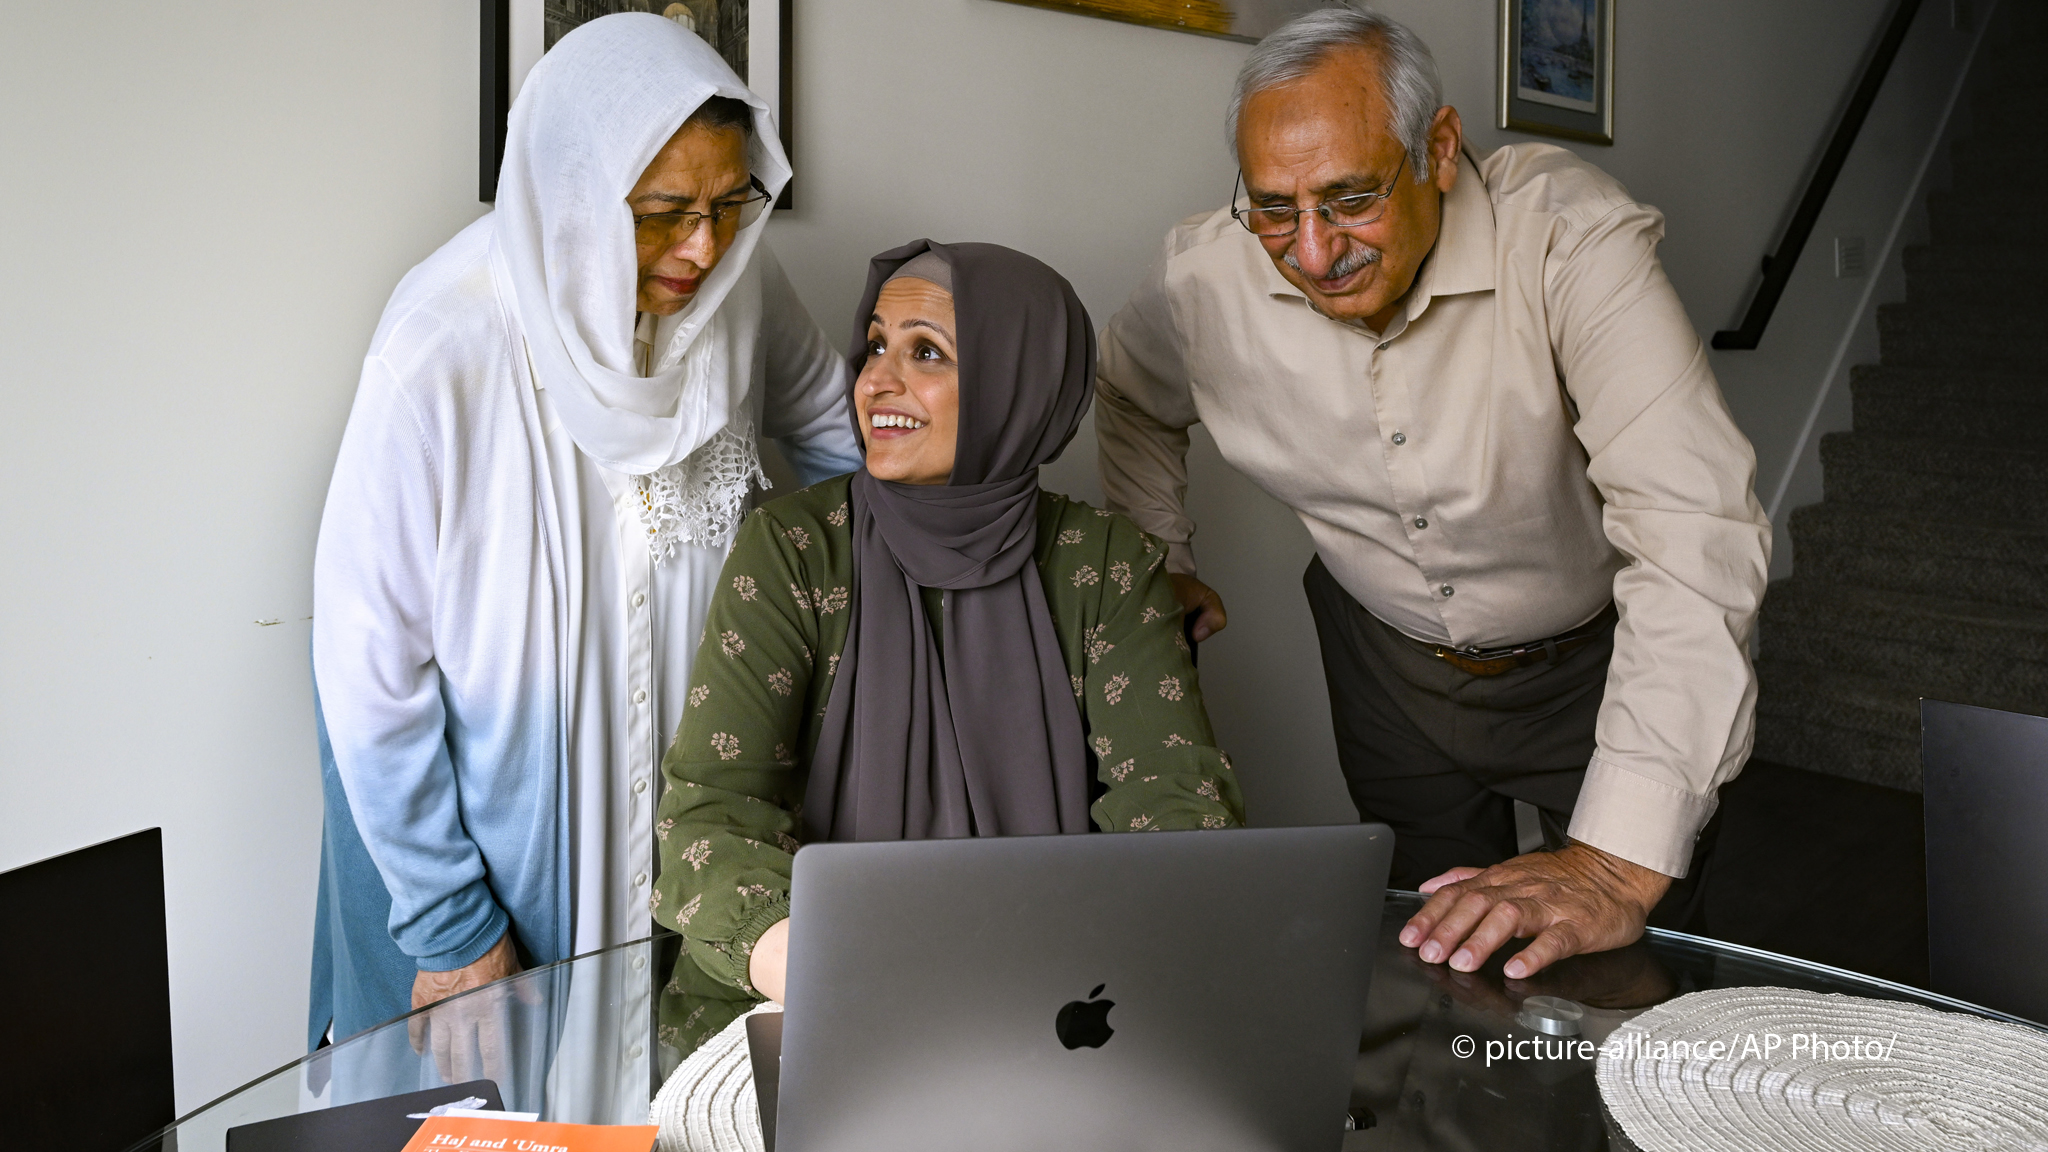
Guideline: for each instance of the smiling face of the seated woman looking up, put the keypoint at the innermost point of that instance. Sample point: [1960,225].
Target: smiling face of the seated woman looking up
[908,395]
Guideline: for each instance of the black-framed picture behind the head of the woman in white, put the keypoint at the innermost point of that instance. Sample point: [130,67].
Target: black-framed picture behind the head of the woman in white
[753,36]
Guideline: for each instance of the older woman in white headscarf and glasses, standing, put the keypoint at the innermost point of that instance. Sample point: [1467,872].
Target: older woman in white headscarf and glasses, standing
[550,450]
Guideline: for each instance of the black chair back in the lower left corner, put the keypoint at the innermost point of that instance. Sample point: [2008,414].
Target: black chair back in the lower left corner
[85,999]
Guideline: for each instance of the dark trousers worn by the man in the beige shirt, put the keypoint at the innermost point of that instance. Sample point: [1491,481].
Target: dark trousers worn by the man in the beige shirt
[1441,755]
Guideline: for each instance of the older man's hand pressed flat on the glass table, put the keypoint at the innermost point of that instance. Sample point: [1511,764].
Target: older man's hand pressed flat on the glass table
[1578,899]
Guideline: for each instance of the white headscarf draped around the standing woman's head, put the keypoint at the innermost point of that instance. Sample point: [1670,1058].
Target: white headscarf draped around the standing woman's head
[587,124]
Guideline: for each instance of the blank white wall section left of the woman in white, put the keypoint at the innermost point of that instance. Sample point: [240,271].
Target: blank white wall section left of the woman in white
[202,212]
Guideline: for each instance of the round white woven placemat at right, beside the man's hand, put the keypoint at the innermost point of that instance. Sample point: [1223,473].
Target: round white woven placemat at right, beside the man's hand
[1773,1071]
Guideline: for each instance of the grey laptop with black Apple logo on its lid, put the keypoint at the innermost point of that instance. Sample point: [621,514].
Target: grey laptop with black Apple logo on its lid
[1191,991]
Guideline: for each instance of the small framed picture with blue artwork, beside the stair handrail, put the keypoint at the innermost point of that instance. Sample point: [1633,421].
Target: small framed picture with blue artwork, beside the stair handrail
[1558,69]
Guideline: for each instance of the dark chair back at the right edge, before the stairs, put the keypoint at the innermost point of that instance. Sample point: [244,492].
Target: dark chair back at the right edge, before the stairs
[1988,856]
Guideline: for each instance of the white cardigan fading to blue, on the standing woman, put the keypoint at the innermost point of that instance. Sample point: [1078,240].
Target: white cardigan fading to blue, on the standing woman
[497,659]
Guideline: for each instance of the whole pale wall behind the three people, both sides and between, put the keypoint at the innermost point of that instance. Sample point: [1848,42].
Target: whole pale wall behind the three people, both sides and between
[204,208]
